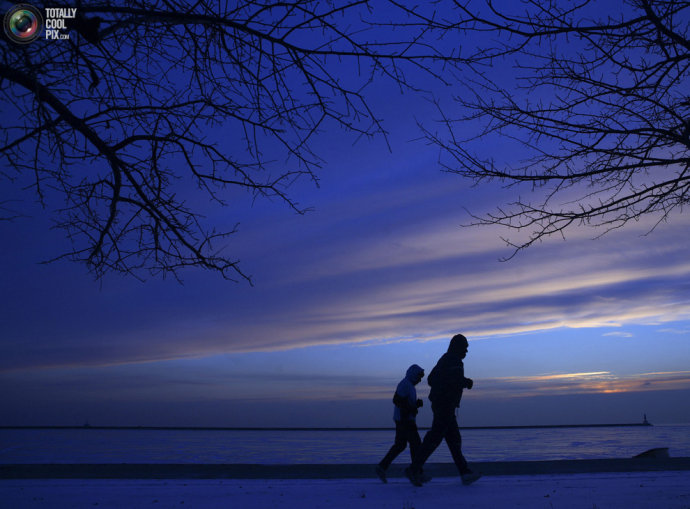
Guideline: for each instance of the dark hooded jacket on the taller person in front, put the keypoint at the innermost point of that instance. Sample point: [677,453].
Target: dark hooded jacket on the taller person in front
[447,379]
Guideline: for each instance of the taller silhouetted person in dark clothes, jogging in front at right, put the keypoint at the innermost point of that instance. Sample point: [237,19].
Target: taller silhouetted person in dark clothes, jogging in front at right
[447,381]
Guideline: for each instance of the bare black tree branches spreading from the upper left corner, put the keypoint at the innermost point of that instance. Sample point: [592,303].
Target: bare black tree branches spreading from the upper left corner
[150,101]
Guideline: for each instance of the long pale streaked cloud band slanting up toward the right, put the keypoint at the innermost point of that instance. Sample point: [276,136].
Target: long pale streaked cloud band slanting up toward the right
[594,286]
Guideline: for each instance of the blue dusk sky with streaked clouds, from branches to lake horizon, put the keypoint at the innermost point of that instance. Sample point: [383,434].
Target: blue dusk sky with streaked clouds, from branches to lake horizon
[378,276]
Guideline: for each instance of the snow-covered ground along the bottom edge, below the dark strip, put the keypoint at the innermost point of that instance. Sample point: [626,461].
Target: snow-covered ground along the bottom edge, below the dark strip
[668,490]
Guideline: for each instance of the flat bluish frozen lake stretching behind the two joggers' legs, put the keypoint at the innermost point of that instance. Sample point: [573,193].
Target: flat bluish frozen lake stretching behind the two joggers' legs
[89,445]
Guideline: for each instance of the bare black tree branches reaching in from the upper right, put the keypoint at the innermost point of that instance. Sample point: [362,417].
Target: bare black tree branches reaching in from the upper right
[600,106]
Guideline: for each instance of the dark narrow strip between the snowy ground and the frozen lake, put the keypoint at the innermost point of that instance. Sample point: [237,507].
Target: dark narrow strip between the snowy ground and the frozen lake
[345,471]
